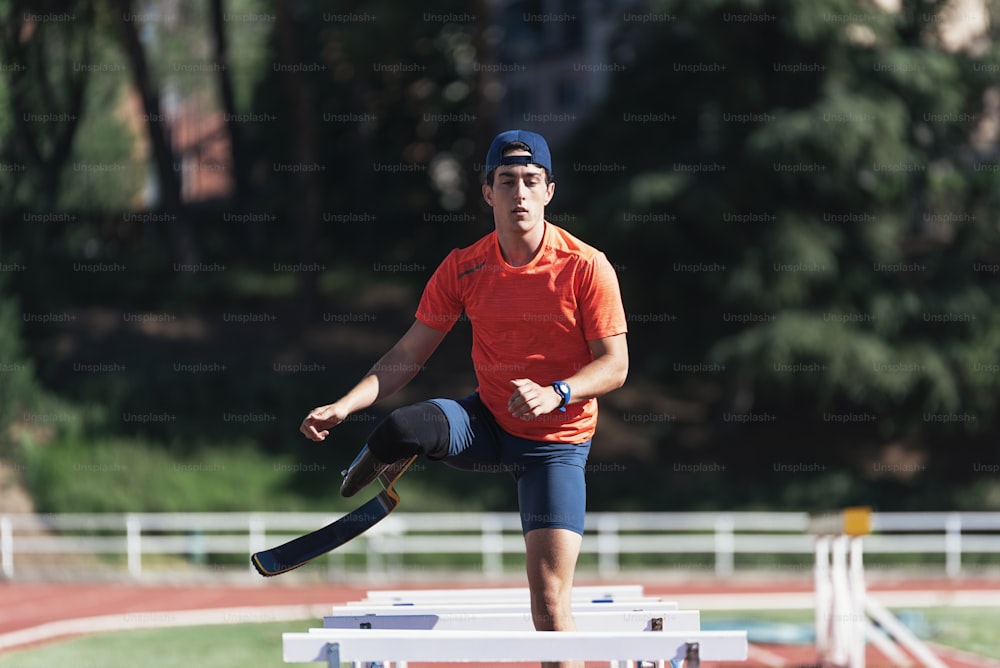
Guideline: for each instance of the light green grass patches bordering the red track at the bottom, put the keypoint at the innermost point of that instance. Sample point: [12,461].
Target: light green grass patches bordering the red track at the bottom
[259,645]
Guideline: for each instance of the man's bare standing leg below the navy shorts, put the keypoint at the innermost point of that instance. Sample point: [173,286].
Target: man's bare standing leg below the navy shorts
[551,561]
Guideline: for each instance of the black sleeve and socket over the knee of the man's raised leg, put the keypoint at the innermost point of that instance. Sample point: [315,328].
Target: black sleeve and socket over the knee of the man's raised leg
[418,429]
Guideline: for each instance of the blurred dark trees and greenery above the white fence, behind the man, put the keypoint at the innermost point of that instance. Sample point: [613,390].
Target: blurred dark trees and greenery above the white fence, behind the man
[215,216]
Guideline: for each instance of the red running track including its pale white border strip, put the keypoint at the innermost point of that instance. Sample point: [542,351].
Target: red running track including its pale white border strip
[34,613]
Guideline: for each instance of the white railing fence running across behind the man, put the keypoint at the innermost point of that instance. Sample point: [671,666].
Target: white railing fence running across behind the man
[613,542]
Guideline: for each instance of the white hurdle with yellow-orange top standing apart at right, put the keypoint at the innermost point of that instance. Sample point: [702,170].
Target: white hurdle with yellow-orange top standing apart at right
[846,616]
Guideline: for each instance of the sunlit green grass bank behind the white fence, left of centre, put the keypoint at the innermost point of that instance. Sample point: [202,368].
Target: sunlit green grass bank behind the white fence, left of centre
[81,473]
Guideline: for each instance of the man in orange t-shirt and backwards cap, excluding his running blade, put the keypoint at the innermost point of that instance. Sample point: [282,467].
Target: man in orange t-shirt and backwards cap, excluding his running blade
[548,338]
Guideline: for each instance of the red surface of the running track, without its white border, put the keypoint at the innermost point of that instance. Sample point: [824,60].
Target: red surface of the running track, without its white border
[25,606]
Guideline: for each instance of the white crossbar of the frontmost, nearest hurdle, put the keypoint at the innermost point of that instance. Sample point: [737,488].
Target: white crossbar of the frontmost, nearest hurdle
[334,646]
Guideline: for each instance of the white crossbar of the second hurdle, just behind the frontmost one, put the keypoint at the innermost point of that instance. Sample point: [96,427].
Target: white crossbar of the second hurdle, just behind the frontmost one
[647,619]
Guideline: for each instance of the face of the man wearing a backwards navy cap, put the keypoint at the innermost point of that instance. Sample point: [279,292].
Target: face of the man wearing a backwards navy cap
[518,195]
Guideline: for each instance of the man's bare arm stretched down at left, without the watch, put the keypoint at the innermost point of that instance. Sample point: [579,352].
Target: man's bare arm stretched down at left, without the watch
[390,374]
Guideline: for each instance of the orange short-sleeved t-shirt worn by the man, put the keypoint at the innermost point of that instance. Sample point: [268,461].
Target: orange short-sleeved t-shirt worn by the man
[532,321]
